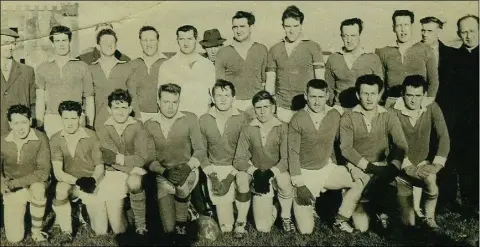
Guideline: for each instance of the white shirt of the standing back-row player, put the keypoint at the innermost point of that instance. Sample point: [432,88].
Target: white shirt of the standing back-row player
[195,75]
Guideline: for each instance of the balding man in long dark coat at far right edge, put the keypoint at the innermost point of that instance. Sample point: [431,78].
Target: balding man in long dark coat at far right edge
[465,97]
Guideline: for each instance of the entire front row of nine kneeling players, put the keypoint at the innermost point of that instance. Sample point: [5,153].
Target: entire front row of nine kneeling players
[240,157]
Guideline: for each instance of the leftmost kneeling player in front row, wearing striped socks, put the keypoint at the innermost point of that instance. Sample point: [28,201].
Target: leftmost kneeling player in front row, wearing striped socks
[25,167]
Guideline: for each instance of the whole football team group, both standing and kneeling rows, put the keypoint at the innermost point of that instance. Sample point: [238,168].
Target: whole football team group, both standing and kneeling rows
[262,129]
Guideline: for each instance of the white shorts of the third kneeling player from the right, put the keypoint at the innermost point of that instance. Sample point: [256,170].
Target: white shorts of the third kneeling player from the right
[315,179]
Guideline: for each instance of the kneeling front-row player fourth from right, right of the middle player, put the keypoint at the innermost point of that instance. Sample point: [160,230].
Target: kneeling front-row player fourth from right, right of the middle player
[263,143]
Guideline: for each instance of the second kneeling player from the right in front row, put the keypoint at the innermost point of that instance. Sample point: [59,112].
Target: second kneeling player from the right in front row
[372,140]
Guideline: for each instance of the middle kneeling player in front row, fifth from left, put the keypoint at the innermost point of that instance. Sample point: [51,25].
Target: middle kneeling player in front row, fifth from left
[220,128]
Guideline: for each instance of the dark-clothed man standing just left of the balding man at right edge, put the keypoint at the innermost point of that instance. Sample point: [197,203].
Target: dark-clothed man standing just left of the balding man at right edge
[447,180]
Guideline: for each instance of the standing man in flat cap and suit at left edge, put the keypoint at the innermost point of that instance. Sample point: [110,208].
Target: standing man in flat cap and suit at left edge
[18,80]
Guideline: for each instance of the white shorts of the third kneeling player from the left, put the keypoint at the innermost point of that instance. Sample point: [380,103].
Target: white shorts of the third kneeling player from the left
[113,186]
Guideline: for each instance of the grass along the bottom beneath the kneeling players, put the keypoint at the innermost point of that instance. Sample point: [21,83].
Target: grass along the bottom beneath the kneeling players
[456,231]
